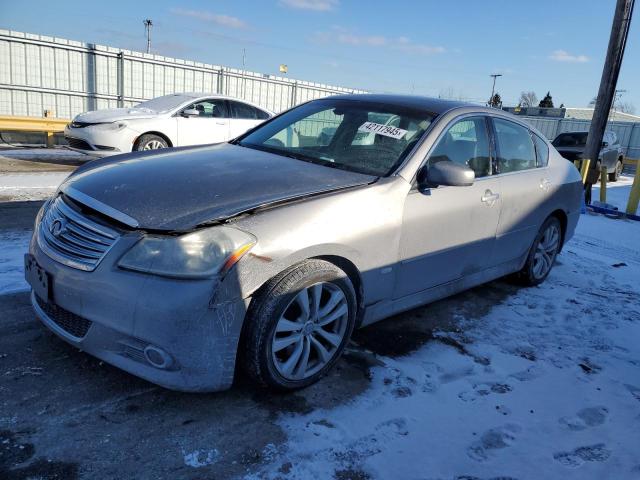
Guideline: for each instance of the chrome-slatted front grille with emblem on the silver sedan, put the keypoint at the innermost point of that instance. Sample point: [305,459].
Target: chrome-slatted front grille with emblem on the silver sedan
[71,238]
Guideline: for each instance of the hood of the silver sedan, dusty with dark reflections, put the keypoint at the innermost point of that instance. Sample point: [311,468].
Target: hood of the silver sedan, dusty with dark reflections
[179,189]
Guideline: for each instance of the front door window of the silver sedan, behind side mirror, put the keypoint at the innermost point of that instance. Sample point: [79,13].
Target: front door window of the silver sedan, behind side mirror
[467,143]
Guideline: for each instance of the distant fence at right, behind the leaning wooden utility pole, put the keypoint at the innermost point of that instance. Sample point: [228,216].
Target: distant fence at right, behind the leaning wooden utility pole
[628,132]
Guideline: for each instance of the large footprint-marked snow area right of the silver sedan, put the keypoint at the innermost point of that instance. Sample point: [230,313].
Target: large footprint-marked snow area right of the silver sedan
[545,385]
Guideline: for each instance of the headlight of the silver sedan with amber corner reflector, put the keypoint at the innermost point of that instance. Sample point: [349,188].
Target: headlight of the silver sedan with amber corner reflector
[196,255]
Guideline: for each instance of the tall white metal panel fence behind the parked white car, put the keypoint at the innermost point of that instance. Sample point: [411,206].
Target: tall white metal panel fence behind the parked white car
[66,77]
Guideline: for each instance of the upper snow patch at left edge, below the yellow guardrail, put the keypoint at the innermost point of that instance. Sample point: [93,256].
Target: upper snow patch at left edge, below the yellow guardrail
[30,186]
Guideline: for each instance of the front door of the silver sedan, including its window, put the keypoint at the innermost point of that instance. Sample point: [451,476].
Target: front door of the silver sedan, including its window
[449,232]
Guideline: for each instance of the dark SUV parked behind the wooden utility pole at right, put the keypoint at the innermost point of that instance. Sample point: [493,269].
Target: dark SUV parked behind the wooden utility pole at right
[571,146]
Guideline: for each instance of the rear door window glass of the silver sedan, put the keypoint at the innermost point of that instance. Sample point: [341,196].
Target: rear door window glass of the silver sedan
[515,147]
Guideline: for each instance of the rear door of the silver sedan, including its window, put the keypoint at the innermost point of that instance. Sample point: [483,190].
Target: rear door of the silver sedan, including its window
[526,188]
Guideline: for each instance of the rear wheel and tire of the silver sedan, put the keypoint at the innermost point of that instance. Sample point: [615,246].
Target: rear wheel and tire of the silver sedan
[532,274]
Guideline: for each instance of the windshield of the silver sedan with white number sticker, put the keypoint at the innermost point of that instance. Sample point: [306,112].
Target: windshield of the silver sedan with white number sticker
[363,137]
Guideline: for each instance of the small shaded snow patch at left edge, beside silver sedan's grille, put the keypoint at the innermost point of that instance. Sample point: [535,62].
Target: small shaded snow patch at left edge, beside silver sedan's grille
[13,246]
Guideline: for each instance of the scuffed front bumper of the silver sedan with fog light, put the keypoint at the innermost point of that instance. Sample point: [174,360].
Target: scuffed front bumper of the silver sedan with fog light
[180,334]
